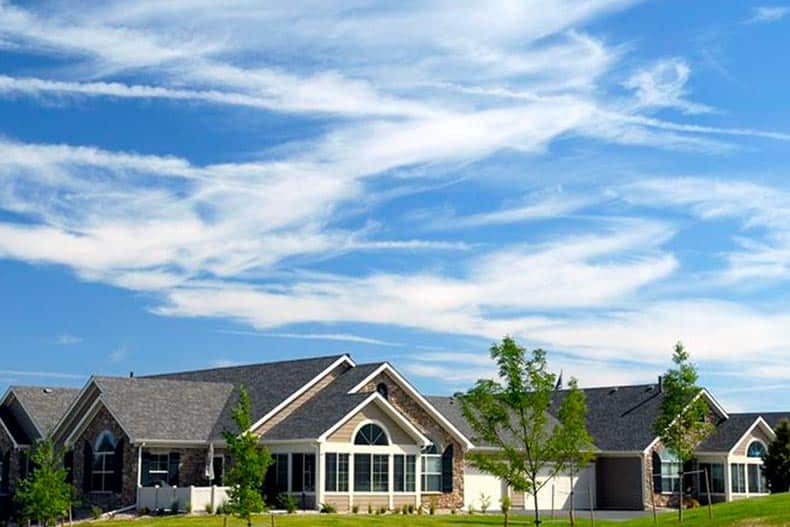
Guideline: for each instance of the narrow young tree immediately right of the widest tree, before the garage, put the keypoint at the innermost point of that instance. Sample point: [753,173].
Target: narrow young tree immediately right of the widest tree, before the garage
[574,443]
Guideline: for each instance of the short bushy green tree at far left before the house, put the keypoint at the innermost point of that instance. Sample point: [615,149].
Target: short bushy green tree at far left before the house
[44,495]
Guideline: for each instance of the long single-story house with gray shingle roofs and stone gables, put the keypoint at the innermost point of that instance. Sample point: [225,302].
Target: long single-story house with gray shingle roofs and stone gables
[349,435]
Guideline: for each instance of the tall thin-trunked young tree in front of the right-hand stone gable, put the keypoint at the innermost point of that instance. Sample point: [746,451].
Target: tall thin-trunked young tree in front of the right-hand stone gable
[682,421]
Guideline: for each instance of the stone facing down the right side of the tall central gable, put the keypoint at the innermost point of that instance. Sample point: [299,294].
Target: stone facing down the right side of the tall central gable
[406,404]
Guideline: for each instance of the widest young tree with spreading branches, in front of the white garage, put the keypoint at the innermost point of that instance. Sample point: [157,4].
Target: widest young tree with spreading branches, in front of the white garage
[512,415]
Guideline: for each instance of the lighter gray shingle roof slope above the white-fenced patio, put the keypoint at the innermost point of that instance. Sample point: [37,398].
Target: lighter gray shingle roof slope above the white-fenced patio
[164,409]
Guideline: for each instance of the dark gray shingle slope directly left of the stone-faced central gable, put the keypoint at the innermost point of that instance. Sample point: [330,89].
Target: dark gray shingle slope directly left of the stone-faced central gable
[320,413]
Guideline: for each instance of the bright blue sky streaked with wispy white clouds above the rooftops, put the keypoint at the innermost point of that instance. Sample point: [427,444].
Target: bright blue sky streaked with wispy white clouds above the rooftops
[185,185]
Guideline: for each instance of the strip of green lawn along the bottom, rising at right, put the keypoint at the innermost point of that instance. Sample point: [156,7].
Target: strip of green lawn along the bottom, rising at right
[771,511]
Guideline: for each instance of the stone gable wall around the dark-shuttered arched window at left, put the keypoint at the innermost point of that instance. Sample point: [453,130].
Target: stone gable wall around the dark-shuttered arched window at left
[103,420]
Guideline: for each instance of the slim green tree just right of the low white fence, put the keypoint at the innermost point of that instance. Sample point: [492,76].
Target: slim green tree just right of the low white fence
[249,464]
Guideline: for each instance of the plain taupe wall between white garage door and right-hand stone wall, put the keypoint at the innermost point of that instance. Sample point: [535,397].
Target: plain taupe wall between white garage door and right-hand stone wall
[619,483]
